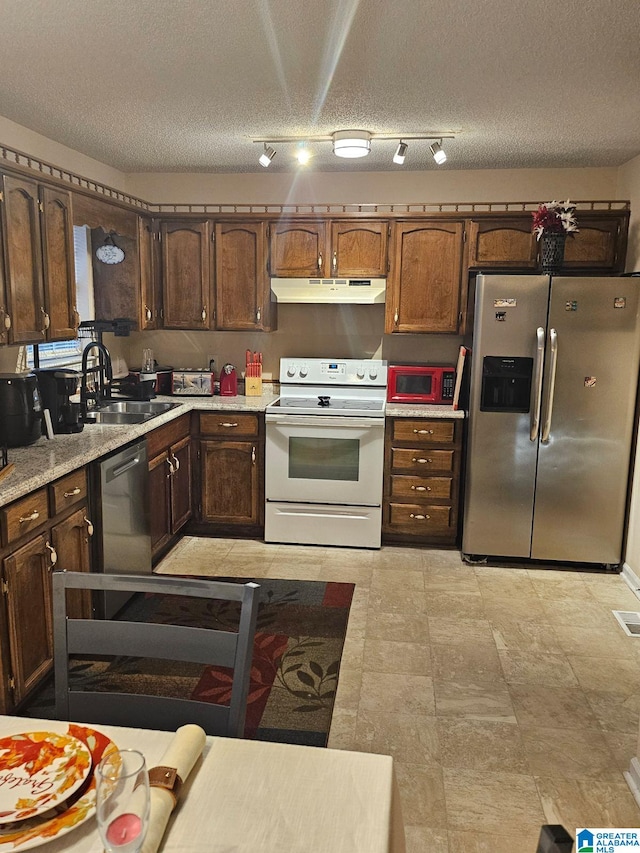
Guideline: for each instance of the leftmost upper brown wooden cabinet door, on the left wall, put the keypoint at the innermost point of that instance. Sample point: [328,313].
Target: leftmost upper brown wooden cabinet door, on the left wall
[23,257]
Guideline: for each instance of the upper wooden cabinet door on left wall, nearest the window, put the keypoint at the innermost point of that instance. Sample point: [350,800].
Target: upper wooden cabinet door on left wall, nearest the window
[58,264]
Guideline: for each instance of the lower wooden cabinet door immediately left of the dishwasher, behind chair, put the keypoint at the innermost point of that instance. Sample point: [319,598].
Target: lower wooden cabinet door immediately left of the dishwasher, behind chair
[70,538]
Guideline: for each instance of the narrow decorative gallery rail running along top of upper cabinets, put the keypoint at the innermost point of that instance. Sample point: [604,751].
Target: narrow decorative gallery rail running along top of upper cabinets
[18,159]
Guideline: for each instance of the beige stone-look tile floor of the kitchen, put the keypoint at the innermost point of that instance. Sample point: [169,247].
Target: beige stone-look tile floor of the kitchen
[509,697]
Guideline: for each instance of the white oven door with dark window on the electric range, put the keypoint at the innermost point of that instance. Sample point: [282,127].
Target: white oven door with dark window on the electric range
[318,459]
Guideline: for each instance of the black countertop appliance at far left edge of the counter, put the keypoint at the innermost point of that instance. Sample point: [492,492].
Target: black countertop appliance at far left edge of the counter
[20,409]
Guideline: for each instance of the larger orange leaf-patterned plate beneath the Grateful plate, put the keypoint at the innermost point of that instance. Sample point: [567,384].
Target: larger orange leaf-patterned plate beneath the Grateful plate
[70,813]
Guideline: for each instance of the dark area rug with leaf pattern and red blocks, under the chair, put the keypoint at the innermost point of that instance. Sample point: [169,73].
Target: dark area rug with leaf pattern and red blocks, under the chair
[300,634]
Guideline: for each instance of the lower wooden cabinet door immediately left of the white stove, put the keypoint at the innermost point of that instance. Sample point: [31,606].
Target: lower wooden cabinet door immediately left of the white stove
[229,477]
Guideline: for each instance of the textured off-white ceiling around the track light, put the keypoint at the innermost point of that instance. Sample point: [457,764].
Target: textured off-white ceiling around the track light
[185,85]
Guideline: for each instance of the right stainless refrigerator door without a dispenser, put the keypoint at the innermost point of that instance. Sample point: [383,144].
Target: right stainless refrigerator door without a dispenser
[587,428]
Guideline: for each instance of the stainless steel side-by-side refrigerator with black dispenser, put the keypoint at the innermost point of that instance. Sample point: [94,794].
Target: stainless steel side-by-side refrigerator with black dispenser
[551,417]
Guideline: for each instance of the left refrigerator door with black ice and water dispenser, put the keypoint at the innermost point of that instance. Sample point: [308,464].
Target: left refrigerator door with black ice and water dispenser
[501,453]
